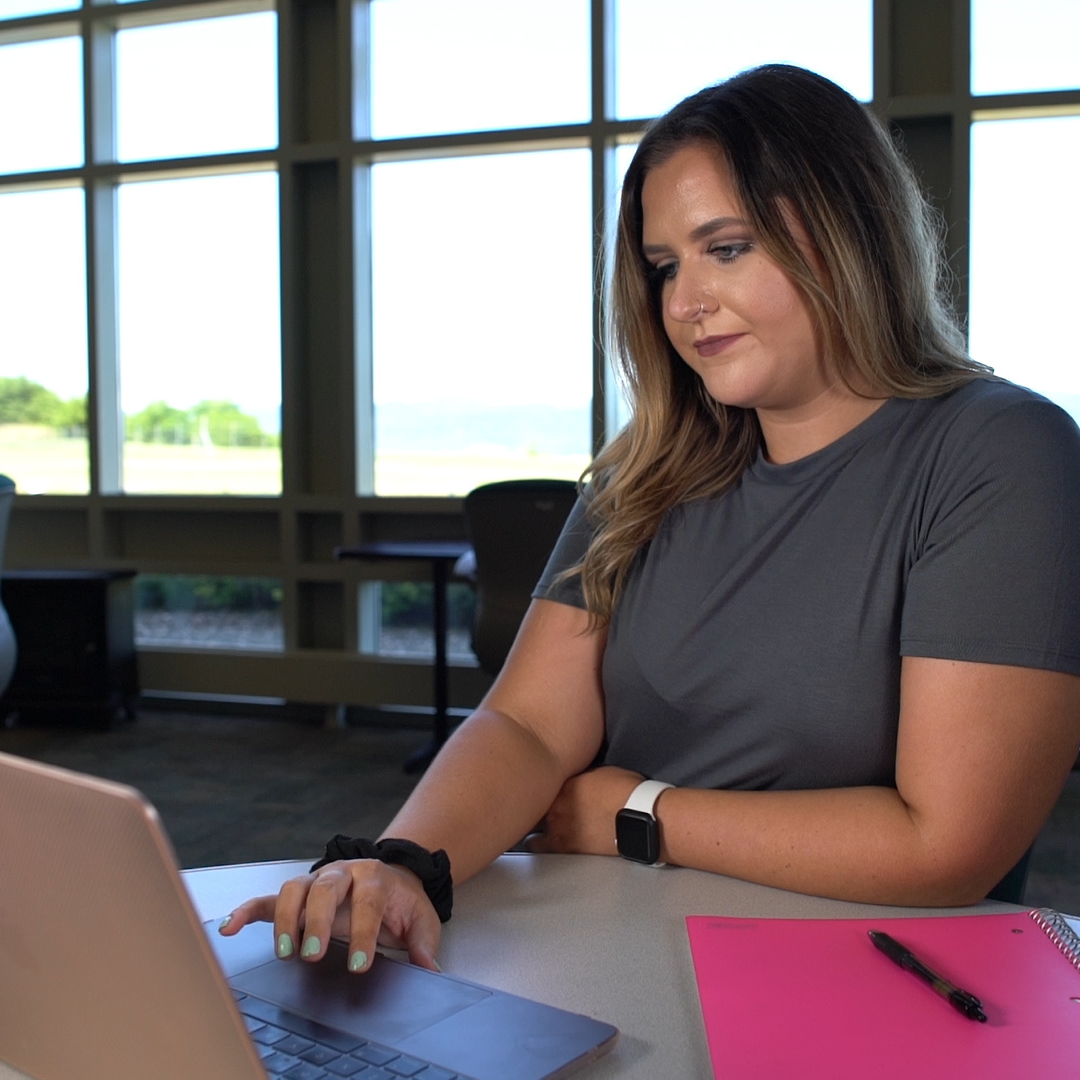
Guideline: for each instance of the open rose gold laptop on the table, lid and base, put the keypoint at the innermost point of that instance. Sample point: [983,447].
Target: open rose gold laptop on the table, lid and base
[106,973]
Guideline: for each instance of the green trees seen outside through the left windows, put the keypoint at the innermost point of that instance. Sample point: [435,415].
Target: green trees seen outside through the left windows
[215,423]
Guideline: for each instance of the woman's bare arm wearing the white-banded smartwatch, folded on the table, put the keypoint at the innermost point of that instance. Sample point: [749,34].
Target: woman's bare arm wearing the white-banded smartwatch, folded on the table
[983,753]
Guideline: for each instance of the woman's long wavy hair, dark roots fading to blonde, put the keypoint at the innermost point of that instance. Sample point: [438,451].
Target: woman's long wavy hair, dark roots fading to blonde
[798,142]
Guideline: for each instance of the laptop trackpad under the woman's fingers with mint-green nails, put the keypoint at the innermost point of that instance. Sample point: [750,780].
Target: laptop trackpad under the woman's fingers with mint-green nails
[387,1004]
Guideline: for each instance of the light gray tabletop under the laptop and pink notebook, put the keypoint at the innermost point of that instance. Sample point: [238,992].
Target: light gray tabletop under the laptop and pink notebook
[592,935]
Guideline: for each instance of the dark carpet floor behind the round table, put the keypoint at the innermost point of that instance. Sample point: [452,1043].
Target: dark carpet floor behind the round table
[235,790]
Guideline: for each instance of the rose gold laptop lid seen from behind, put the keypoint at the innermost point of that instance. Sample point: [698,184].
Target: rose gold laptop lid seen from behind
[105,970]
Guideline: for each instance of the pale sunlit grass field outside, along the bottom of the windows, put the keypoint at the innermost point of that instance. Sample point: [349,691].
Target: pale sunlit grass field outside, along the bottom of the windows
[44,463]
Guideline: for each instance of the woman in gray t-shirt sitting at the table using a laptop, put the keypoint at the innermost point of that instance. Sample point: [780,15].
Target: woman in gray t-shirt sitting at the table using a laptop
[826,583]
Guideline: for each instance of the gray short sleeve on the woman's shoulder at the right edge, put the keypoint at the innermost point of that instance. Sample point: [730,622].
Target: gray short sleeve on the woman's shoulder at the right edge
[995,556]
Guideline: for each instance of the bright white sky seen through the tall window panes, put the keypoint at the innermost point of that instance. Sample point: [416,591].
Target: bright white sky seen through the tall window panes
[481,265]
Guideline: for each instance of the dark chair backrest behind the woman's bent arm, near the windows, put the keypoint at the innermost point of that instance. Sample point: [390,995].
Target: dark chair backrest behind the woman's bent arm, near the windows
[514,526]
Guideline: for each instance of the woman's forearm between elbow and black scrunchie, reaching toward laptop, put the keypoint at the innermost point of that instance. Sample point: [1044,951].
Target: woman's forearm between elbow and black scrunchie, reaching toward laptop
[487,789]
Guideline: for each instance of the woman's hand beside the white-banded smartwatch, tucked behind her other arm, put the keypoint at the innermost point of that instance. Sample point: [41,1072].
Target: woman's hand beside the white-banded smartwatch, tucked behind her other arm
[582,820]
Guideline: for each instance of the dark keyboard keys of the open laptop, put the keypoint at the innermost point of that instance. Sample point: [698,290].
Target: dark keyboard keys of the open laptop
[296,1048]
